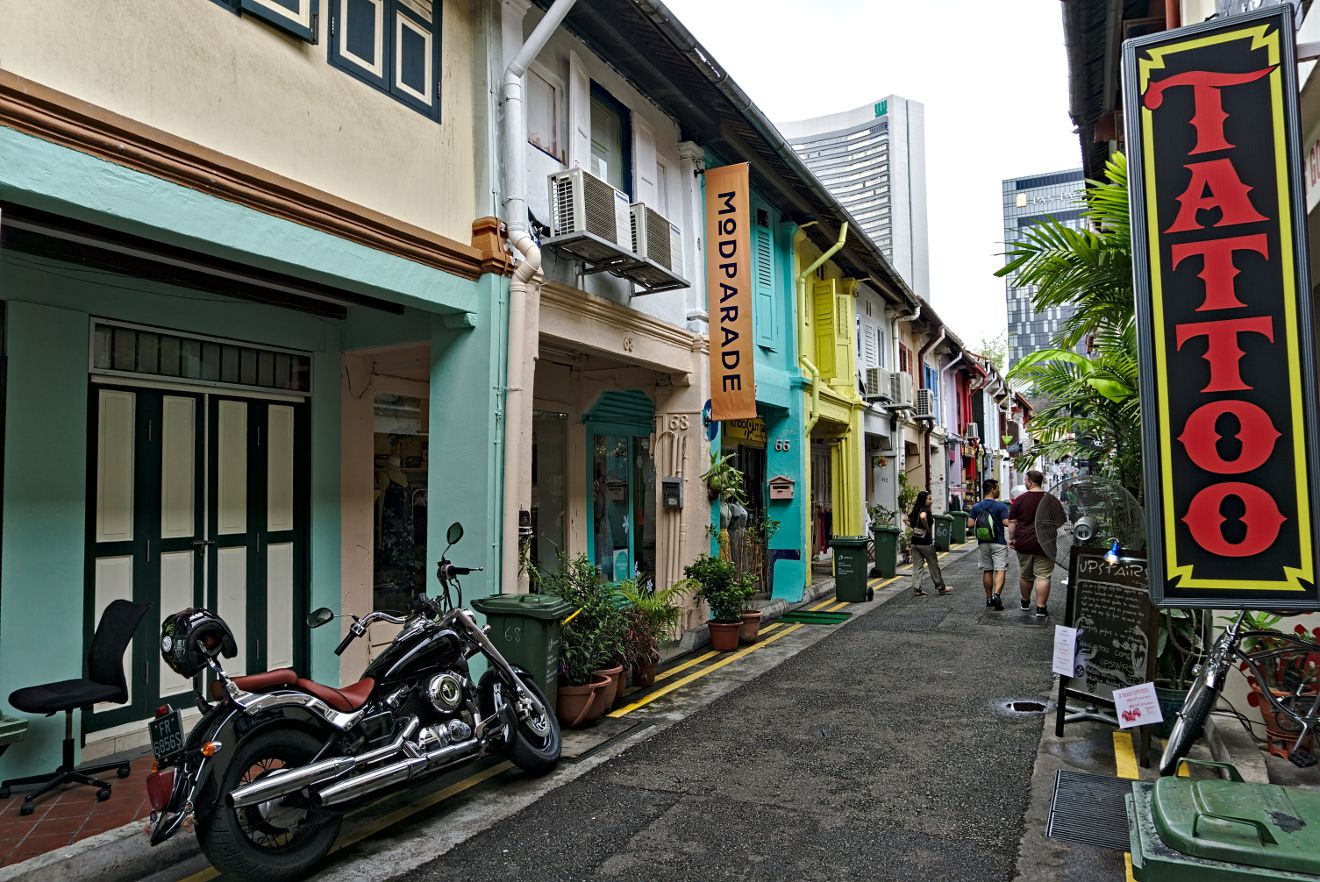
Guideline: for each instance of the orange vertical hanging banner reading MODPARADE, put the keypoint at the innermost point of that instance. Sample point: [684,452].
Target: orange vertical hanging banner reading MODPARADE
[733,388]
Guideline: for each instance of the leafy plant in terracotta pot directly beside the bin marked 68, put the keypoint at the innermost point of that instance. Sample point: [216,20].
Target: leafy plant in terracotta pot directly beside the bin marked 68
[589,641]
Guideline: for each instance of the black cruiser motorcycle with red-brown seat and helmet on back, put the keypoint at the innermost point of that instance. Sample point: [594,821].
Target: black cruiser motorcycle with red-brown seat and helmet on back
[277,761]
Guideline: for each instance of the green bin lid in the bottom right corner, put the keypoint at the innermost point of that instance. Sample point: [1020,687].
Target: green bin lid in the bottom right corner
[1263,826]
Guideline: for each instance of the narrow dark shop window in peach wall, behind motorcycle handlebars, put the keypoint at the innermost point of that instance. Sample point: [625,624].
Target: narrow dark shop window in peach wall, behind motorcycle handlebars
[401,468]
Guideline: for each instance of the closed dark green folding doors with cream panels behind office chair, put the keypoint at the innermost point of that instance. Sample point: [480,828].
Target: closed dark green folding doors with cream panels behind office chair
[197,500]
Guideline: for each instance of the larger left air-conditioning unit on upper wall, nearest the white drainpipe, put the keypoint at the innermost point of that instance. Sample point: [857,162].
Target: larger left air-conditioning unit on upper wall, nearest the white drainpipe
[591,221]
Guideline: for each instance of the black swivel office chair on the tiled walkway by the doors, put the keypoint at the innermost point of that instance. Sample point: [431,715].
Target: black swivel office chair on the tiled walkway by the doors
[105,683]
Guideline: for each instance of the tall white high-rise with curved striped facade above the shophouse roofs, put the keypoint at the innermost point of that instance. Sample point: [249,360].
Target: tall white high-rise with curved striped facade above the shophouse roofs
[873,160]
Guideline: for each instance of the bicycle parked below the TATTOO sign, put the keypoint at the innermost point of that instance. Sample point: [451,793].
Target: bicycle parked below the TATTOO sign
[1297,704]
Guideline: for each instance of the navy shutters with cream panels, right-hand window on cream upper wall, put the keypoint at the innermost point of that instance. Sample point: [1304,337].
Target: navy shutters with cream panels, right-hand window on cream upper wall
[393,46]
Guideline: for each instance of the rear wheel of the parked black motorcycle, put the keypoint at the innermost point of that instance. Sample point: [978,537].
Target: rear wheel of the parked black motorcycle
[278,840]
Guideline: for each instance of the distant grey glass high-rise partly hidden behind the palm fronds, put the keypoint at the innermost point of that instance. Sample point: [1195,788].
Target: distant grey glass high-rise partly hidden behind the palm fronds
[1026,201]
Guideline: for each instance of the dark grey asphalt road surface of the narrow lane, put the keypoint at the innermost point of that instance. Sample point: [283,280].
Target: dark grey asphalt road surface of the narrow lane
[880,753]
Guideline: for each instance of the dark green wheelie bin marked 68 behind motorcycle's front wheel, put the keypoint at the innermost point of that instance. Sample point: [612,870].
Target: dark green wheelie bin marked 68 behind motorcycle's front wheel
[526,629]
